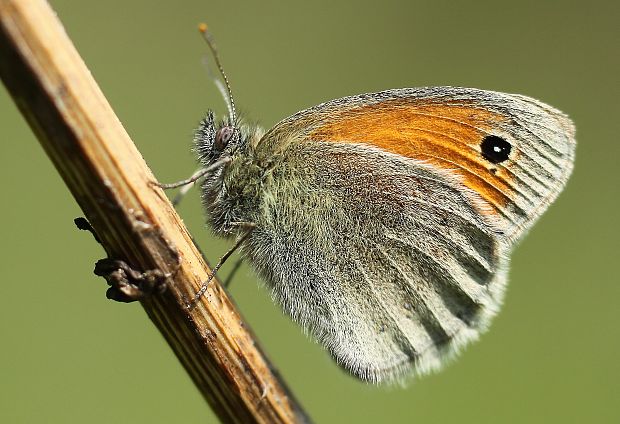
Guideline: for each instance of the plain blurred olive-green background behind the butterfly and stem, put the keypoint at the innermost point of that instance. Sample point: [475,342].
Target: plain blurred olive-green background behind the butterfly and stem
[69,355]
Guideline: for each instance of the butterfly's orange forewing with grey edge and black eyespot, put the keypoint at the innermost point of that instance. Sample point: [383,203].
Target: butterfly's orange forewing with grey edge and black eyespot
[447,127]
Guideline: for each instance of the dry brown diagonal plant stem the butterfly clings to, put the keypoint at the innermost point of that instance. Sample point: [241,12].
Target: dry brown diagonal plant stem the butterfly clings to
[111,182]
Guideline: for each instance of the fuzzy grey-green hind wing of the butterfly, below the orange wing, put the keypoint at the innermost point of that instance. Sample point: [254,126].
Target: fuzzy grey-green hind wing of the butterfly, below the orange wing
[385,261]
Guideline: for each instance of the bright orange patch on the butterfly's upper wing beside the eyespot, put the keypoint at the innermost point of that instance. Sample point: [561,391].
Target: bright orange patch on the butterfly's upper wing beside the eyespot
[445,135]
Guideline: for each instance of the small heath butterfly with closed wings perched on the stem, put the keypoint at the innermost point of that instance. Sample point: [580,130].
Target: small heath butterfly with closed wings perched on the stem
[383,223]
